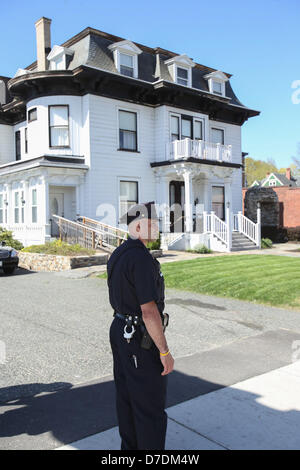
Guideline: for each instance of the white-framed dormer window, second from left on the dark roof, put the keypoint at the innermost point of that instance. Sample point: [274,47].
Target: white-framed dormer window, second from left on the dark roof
[126,57]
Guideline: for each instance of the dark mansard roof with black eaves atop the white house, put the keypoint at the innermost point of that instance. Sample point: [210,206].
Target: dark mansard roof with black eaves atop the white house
[92,69]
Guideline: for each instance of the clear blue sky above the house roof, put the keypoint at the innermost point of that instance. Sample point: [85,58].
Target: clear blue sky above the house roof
[254,41]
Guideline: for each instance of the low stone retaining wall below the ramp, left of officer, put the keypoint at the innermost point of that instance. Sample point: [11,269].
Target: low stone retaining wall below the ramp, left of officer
[44,262]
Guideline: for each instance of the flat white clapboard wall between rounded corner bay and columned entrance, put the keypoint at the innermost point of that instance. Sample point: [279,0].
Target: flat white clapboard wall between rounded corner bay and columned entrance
[108,164]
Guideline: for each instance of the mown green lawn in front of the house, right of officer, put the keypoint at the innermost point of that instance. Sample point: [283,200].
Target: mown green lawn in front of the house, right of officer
[267,279]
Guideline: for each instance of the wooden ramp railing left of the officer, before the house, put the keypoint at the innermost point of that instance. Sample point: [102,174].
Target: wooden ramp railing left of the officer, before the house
[89,233]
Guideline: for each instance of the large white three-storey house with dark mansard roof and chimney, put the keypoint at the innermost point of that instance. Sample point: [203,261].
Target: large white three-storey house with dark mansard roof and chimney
[102,120]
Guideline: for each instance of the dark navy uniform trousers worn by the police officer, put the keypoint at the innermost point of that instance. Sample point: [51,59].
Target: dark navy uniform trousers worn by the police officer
[140,391]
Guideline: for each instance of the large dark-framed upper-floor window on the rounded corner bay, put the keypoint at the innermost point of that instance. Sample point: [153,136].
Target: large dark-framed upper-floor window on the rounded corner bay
[59,126]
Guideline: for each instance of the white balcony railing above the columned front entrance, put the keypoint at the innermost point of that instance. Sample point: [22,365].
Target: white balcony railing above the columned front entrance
[198,149]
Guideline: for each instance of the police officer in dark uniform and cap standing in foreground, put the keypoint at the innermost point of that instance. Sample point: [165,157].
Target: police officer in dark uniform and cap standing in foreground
[141,356]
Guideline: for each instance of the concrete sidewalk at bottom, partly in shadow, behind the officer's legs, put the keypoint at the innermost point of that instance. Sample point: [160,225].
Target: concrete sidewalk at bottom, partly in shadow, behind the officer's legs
[262,412]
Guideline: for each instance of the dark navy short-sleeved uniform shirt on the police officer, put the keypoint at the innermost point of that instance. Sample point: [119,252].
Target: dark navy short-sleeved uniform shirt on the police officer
[134,278]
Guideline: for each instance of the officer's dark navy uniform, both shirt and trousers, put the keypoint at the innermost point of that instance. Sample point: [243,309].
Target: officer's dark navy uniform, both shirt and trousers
[134,278]
